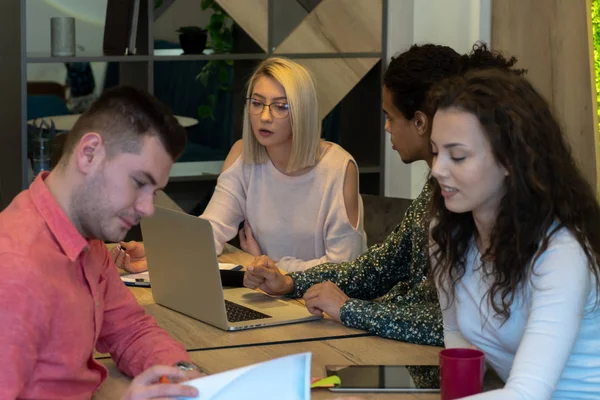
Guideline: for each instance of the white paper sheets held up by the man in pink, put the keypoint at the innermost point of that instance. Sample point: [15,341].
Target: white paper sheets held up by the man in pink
[282,378]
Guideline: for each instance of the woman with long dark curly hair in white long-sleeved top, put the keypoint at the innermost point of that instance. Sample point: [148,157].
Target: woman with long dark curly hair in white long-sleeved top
[515,238]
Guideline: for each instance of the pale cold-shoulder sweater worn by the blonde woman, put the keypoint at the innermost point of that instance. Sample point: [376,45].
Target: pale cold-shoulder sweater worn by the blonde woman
[298,221]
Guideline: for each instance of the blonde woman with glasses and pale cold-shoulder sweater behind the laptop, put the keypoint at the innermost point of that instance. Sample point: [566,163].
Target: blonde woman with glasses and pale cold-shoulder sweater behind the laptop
[296,194]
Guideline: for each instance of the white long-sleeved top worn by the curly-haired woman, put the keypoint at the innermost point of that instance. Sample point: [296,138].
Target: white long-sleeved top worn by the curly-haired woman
[549,348]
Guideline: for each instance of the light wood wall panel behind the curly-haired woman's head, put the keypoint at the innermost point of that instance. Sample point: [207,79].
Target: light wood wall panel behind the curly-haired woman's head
[551,39]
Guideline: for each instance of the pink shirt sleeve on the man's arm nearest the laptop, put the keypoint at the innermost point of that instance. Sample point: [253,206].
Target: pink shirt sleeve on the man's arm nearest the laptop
[132,337]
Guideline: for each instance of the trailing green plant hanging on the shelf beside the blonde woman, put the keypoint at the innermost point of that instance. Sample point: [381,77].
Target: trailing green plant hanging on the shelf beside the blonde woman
[221,41]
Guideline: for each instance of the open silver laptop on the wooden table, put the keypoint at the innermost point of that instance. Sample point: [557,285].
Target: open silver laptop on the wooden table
[184,271]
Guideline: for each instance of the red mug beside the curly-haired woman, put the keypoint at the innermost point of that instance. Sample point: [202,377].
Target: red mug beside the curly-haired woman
[461,372]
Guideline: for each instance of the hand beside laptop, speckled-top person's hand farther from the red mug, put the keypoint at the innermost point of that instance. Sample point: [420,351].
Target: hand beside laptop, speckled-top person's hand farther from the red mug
[263,274]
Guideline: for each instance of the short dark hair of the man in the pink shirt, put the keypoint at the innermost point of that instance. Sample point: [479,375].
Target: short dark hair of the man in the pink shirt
[122,116]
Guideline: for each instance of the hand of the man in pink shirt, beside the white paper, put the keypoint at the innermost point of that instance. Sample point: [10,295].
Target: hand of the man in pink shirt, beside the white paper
[147,385]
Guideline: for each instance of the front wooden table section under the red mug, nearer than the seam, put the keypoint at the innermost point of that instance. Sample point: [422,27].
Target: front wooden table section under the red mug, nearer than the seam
[366,350]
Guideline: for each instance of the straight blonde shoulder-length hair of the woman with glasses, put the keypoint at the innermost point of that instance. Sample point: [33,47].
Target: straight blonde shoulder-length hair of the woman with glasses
[301,94]
